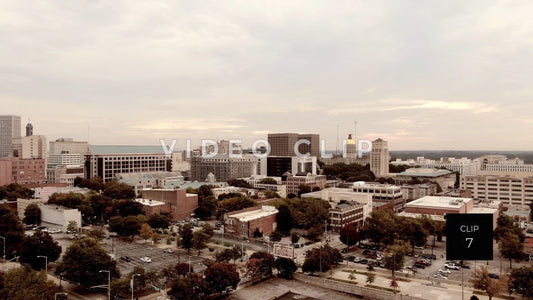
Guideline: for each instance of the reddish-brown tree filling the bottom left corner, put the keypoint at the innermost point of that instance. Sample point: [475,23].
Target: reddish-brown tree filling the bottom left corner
[25,283]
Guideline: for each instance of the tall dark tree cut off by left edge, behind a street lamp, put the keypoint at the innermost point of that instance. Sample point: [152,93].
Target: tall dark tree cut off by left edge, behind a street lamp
[11,229]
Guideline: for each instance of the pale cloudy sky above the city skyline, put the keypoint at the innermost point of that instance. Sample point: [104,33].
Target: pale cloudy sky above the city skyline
[423,75]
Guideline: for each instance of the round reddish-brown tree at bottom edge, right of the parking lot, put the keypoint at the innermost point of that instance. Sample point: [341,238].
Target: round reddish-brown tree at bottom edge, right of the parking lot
[220,277]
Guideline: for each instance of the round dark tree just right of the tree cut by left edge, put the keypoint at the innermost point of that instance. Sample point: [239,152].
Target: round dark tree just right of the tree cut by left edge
[39,244]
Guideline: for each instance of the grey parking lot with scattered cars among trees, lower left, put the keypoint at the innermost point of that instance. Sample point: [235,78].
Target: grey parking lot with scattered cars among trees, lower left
[159,258]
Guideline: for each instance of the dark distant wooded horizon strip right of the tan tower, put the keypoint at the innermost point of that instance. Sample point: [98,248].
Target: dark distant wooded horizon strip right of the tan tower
[527,156]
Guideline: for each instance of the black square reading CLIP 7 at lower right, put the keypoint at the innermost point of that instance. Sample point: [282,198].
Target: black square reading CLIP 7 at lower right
[469,236]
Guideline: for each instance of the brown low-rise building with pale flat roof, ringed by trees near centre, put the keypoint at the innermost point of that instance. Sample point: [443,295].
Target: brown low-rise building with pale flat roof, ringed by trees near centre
[246,221]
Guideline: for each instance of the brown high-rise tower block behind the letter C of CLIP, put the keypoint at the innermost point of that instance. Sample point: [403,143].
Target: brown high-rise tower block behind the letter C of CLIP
[282,144]
